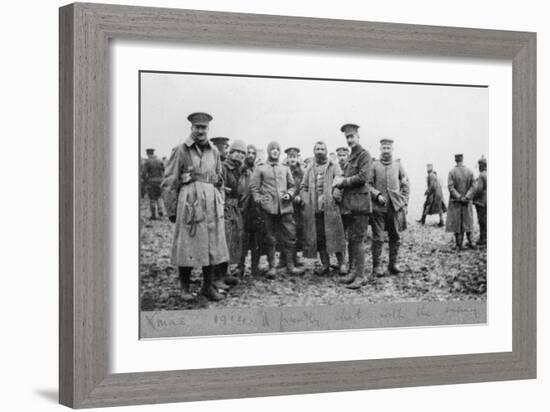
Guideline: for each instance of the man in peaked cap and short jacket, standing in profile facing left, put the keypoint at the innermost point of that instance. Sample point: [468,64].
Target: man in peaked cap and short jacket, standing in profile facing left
[356,204]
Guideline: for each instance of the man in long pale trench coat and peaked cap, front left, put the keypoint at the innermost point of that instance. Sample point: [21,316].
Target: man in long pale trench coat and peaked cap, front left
[195,172]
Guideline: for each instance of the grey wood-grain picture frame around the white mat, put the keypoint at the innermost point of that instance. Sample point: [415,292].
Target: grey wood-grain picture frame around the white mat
[85,31]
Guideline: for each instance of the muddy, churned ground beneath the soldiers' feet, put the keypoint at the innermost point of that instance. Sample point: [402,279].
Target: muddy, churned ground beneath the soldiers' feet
[434,271]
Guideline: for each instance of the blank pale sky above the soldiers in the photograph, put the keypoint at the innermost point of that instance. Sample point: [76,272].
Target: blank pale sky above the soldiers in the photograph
[428,123]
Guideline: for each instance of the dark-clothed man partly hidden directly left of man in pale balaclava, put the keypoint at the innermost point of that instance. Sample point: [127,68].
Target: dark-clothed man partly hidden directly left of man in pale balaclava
[252,216]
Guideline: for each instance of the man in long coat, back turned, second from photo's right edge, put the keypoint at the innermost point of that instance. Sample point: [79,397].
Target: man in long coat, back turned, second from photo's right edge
[460,213]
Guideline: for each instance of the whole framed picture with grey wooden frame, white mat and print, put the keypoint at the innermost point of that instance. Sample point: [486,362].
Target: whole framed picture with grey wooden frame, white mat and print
[257,205]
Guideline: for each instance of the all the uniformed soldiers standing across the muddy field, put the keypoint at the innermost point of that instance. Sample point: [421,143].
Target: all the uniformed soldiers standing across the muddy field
[224,202]
